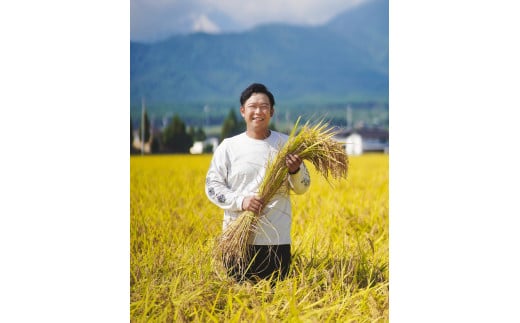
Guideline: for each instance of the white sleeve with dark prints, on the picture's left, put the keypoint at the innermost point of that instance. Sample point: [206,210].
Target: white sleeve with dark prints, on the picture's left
[217,186]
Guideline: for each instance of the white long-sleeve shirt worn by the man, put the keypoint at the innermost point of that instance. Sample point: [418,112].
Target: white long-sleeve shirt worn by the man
[236,171]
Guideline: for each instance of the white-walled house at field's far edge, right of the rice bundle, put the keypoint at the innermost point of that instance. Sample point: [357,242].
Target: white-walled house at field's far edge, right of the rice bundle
[363,140]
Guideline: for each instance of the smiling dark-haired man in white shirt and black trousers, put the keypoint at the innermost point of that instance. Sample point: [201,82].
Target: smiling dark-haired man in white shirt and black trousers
[233,179]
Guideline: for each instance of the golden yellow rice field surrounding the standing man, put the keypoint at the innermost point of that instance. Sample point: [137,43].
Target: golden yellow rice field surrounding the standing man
[340,249]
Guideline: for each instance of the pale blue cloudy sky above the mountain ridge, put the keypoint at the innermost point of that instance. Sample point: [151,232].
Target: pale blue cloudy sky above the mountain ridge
[152,20]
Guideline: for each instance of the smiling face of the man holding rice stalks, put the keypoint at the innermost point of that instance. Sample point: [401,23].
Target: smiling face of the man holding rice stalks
[257,111]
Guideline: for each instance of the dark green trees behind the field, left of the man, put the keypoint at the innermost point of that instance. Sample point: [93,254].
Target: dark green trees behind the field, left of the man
[176,137]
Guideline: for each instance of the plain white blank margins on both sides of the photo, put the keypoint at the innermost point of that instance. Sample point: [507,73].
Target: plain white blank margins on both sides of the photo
[64,210]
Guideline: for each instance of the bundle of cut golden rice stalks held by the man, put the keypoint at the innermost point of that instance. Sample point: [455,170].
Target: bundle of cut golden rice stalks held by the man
[312,143]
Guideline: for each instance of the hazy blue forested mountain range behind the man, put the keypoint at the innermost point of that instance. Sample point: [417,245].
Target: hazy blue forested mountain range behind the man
[344,61]
